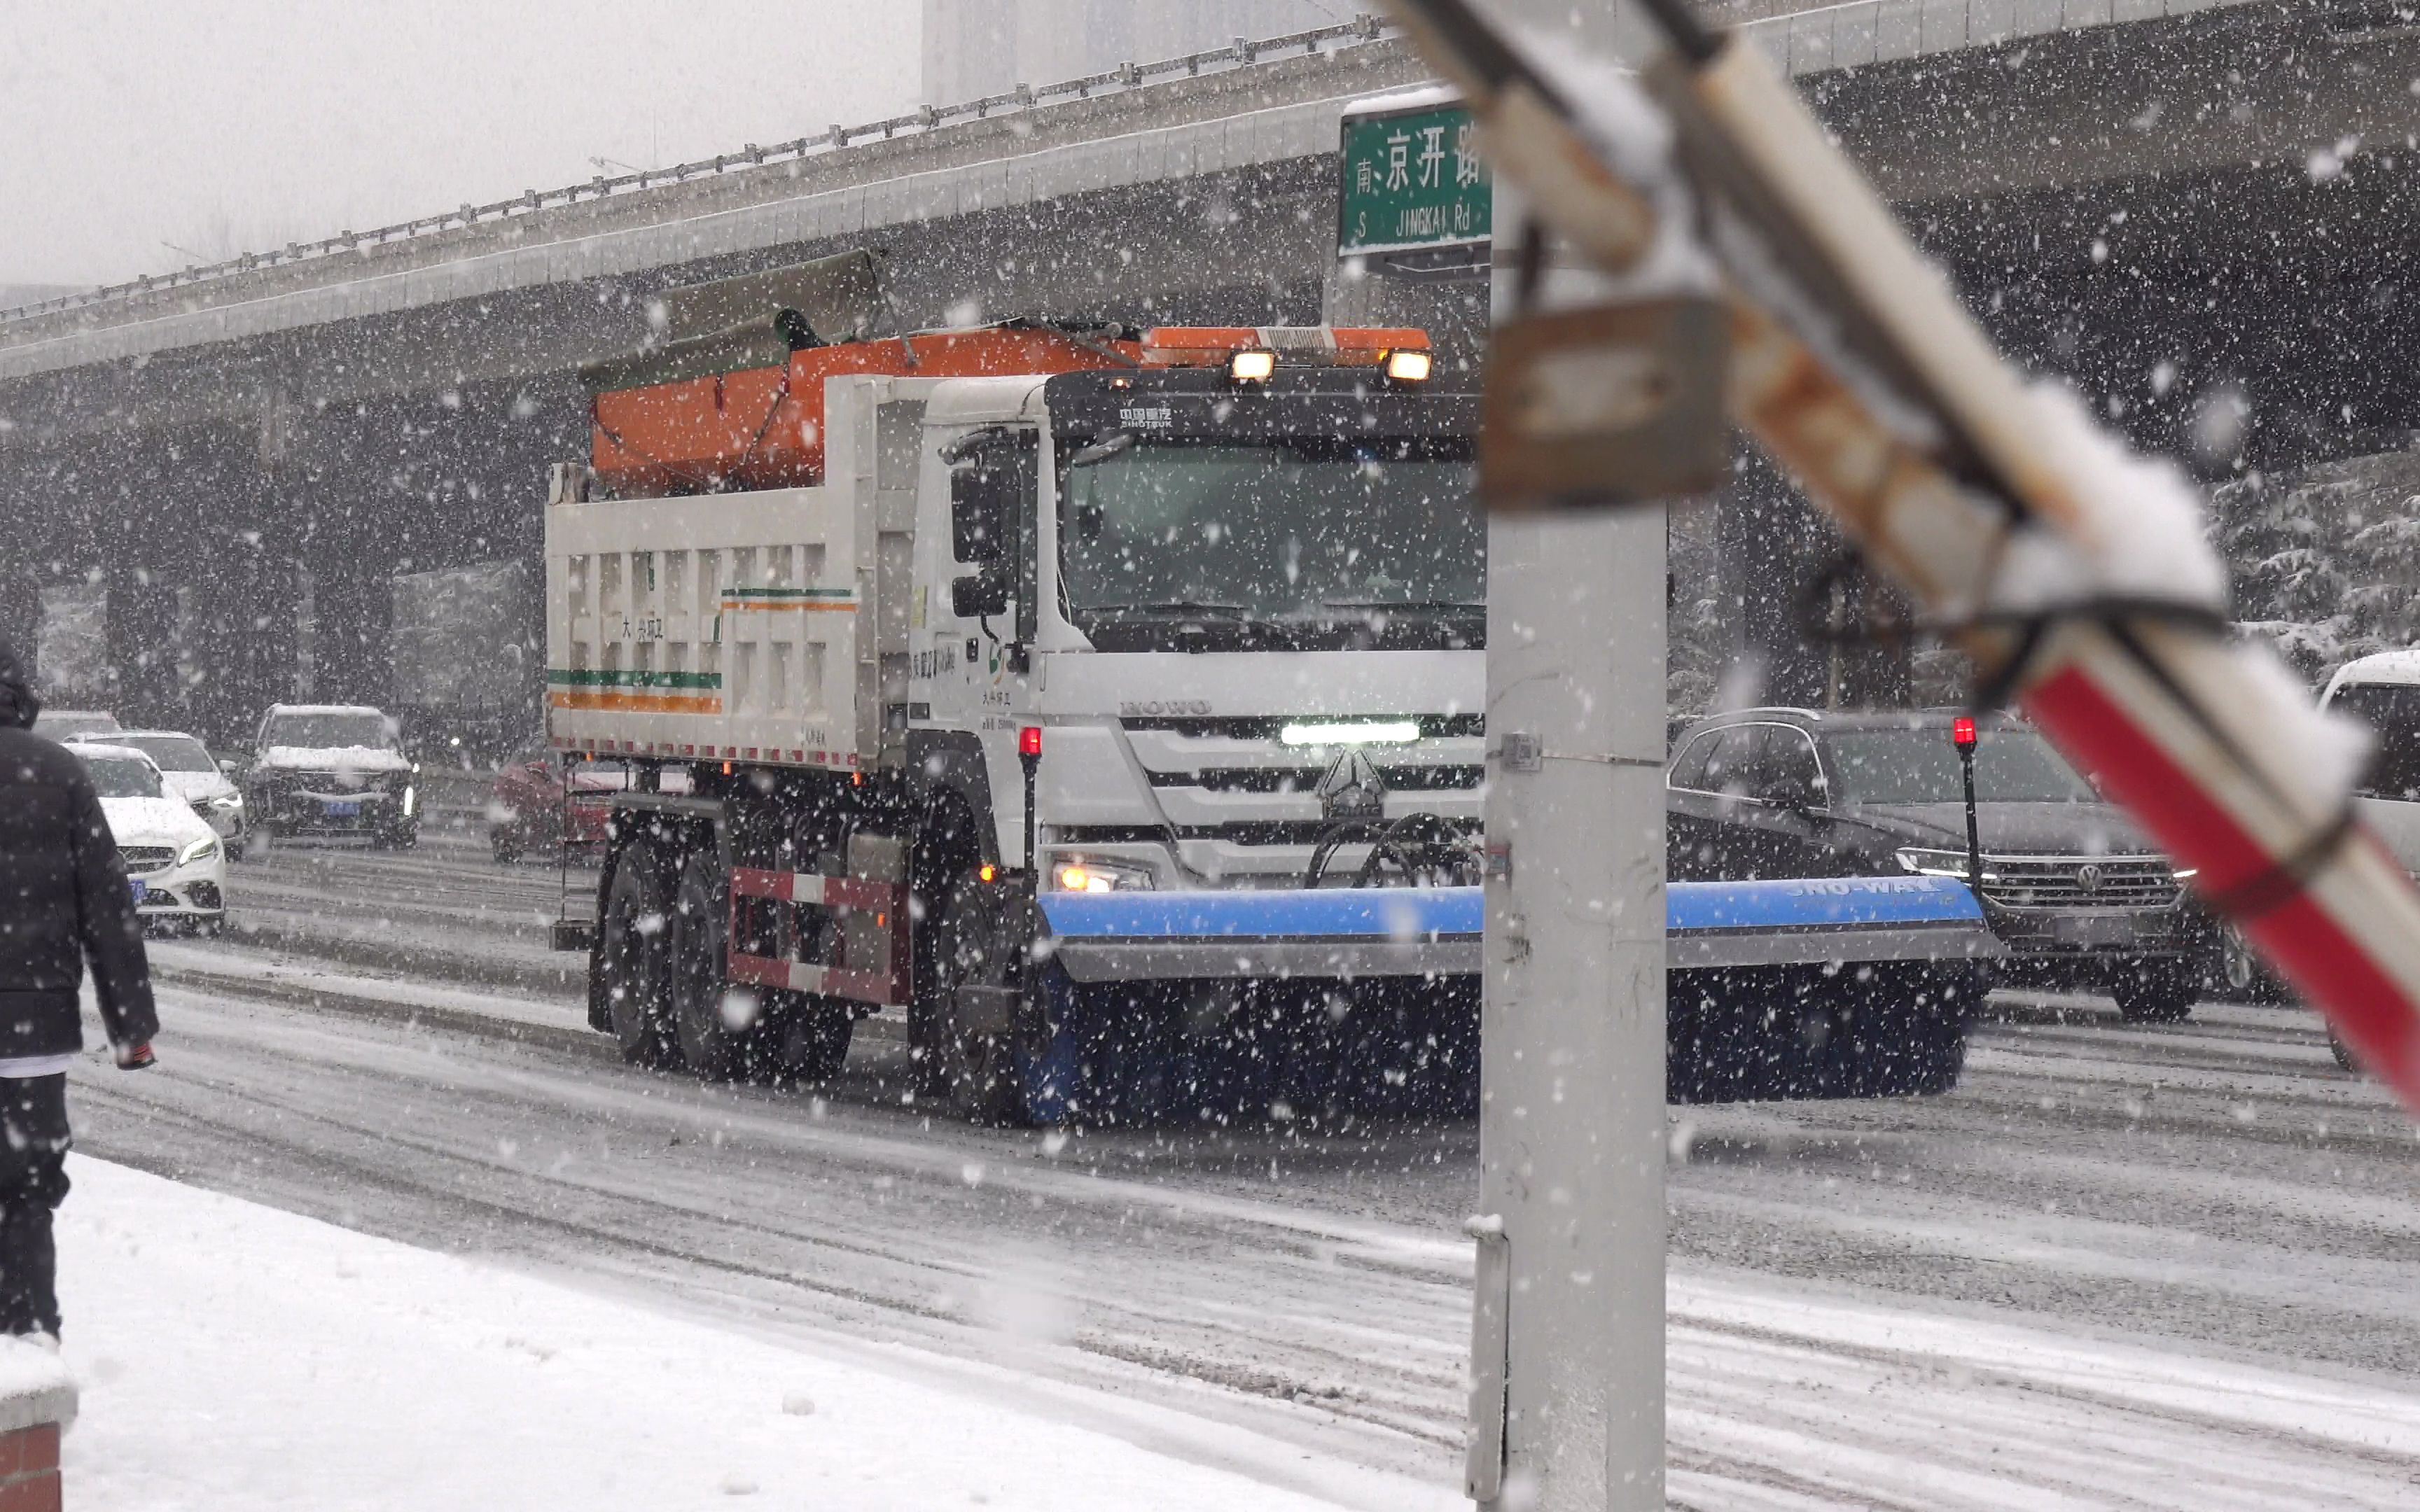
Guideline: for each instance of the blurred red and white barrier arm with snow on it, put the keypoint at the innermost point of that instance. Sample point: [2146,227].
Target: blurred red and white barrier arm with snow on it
[2070,572]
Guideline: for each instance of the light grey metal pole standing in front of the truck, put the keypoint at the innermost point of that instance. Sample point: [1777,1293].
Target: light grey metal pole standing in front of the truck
[1569,1349]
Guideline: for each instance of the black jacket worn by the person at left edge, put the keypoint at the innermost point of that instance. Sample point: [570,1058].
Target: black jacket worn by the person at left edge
[64,896]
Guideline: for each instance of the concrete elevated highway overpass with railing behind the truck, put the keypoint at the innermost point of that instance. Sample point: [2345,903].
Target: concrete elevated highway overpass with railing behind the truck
[2119,183]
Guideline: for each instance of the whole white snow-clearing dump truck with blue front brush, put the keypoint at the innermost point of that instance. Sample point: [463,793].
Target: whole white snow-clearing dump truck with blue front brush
[1110,703]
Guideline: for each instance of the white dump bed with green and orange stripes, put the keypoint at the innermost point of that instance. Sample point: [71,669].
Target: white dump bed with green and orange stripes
[761,628]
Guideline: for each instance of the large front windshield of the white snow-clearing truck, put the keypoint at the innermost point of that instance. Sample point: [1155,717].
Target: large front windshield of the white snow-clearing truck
[1272,533]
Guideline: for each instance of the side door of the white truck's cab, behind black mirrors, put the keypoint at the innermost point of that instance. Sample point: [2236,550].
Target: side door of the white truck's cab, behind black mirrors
[981,613]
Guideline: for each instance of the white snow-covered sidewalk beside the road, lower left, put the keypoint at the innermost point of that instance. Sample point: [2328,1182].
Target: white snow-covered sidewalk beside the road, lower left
[236,1356]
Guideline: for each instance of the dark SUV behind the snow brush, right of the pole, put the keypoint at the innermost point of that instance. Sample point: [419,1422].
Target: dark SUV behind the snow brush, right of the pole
[2068,884]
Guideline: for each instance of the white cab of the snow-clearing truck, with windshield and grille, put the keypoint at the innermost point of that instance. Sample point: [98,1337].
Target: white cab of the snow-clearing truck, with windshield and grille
[1206,594]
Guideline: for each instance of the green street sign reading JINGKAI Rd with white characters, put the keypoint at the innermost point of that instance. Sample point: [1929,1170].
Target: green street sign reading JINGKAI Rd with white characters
[1412,180]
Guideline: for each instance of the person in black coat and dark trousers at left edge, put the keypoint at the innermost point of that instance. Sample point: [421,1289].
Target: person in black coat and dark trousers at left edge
[64,901]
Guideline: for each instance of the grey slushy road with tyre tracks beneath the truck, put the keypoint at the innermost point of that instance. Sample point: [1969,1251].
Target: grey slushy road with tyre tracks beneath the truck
[2116,1269]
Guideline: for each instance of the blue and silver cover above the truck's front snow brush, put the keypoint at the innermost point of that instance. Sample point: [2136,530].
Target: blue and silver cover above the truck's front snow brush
[1431,933]
